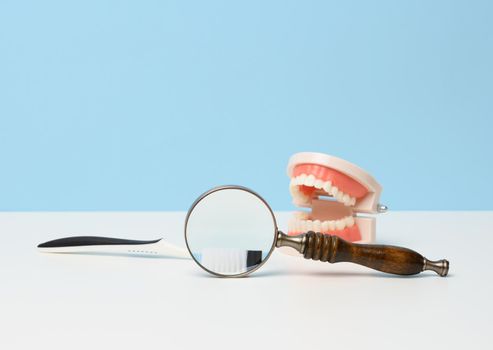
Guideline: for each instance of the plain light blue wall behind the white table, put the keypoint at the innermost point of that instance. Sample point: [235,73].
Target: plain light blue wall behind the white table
[143,105]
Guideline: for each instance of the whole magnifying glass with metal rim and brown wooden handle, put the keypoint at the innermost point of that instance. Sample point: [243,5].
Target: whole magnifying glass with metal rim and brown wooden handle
[230,231]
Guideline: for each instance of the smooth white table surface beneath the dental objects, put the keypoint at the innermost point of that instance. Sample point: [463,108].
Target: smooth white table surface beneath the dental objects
[54,301]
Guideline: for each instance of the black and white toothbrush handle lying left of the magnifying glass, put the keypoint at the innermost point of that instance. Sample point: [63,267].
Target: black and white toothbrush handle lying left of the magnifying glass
[108,245]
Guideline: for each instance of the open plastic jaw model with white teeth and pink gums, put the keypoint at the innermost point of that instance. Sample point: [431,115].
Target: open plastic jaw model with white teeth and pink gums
[336,191]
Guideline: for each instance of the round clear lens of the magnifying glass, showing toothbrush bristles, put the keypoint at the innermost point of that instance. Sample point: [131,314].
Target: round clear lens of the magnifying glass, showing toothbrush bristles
[230,231]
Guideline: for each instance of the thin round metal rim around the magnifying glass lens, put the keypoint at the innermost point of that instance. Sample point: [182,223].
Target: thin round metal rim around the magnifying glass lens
[231,187]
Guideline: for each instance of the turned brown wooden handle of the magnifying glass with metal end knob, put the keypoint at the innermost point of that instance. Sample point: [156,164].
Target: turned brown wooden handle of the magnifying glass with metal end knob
[390,259]
